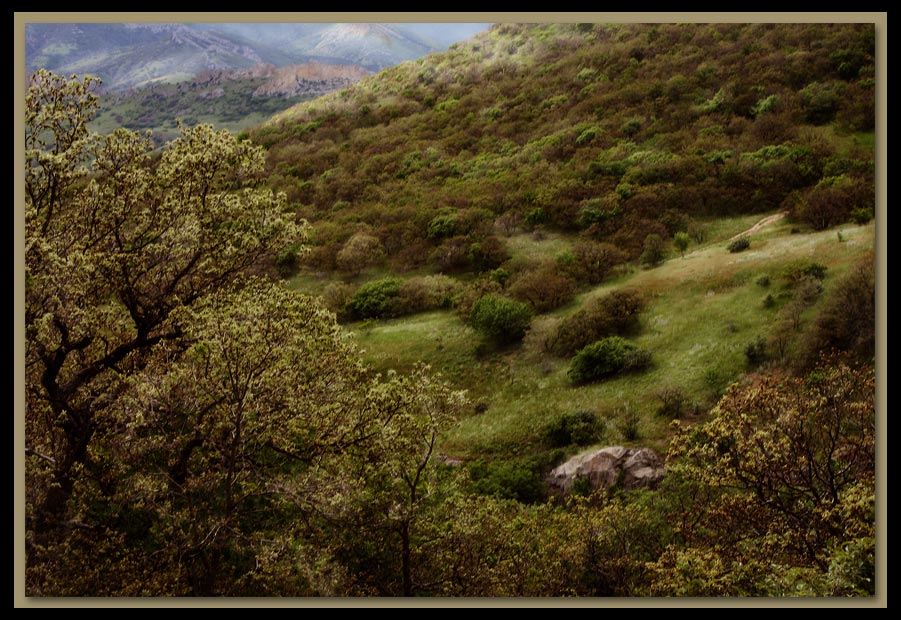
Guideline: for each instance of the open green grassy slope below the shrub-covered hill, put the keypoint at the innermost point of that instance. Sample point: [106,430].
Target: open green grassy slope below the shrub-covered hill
[702,310]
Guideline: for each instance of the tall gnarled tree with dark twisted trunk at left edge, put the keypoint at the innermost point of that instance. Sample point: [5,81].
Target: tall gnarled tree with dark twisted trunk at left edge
[116,241]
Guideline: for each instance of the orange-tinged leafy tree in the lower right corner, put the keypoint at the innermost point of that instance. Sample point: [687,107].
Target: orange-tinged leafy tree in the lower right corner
[784,473]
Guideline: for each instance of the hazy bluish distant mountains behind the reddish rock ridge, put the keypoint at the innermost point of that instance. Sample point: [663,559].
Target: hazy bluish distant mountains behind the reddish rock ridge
[135,55]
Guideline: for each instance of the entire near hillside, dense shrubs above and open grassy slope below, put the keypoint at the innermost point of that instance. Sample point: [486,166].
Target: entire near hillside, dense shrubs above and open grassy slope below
[556,164]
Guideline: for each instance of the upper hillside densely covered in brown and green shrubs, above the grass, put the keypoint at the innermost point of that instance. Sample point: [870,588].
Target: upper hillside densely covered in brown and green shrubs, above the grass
[611,132]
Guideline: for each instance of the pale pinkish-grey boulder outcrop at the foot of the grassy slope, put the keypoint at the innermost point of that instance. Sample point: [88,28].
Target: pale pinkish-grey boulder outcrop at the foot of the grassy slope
[633,468]
